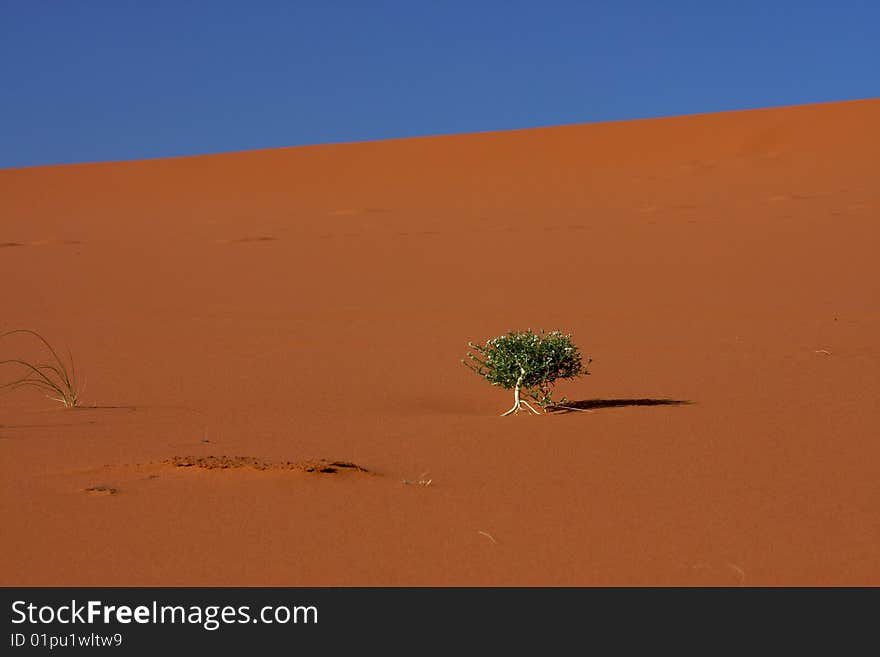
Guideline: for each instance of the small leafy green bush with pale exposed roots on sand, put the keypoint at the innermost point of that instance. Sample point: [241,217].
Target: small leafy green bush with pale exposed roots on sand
[527,362]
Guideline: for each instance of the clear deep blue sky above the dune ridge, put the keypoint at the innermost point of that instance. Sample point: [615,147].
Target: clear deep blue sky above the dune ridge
[98,80]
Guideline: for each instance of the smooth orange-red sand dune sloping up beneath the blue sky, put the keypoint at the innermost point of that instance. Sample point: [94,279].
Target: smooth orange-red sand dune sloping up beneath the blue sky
[292,305]
